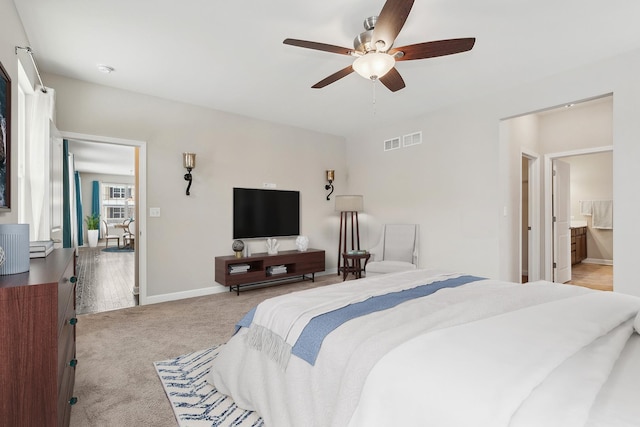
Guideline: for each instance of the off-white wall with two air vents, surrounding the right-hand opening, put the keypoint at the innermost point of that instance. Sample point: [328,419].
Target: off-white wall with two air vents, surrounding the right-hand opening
[463,179]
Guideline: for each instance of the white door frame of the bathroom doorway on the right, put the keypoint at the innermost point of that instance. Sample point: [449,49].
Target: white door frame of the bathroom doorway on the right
[548,194]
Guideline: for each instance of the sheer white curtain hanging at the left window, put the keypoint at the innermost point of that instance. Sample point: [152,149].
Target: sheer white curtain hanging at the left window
[37,167]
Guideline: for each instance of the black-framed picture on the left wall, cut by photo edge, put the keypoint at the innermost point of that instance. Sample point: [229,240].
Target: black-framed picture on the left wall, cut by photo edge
[5,139]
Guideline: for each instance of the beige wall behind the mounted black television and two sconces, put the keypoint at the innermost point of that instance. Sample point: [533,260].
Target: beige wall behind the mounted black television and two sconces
[232,151]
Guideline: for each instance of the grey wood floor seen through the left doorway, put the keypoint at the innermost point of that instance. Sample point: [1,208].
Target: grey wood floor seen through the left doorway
[105,280]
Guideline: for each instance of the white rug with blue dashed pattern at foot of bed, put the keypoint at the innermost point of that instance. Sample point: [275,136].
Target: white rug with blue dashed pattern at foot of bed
[195,402]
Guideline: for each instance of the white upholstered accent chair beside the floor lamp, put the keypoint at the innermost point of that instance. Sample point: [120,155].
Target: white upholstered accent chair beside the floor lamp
[396,251]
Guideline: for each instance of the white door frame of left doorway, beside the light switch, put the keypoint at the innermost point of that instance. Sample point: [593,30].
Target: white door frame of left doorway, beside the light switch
[141,202]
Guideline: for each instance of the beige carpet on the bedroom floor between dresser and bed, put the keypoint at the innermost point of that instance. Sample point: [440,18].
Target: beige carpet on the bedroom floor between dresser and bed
[116,382]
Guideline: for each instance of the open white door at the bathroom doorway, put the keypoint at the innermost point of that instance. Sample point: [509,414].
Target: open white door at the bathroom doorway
[561,222]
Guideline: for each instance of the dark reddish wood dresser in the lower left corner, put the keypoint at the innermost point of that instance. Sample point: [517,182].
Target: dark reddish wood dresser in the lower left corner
[38,343]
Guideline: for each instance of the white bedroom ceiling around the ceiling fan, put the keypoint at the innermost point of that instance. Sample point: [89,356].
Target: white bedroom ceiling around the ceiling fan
[229,55]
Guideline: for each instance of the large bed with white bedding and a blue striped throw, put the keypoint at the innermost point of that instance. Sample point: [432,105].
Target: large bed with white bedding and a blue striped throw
[428,347]
